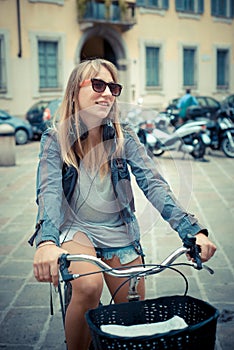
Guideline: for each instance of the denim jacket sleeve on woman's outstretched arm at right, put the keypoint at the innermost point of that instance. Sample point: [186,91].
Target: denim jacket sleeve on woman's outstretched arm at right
[157,190]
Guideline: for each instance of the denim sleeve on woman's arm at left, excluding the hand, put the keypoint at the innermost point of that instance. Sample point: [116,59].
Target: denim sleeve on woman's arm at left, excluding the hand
[49,190]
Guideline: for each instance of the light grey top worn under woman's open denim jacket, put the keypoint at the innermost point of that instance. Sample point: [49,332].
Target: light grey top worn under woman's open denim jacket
[94,211]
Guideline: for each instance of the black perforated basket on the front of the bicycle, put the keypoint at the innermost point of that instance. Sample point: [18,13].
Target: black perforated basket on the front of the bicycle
[200,317]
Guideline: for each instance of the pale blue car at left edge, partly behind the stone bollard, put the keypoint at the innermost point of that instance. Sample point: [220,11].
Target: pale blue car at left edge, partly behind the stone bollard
[23,130]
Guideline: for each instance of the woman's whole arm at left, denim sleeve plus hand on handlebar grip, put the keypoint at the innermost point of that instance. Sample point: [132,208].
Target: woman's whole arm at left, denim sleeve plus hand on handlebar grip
[50,210]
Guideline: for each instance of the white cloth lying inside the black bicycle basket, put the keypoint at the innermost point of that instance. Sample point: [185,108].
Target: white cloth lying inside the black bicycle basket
[138,330]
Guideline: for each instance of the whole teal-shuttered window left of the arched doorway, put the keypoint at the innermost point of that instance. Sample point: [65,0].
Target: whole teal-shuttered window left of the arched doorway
[48,64]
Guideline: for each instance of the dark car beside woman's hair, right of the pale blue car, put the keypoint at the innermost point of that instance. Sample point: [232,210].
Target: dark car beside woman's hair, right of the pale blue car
[34,116]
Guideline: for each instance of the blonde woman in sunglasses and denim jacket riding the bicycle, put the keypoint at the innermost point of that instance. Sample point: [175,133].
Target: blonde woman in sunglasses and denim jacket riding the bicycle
[97,217]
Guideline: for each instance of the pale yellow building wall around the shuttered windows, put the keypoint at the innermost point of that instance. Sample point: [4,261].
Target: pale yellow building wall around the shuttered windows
[169,29]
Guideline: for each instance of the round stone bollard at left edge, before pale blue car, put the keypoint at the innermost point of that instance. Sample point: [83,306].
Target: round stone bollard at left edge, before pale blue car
[7,145]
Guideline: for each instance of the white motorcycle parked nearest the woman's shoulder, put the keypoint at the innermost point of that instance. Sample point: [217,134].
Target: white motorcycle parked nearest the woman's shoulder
[192,140]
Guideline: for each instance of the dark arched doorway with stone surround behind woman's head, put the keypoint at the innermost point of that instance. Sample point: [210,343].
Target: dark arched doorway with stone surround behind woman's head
[103,41]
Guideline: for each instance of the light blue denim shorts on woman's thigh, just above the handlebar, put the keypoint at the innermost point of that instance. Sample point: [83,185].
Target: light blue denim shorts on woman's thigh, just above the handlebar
[125,254]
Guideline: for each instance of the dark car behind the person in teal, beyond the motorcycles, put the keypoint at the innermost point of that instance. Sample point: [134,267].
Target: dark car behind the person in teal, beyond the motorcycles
[208,106]
